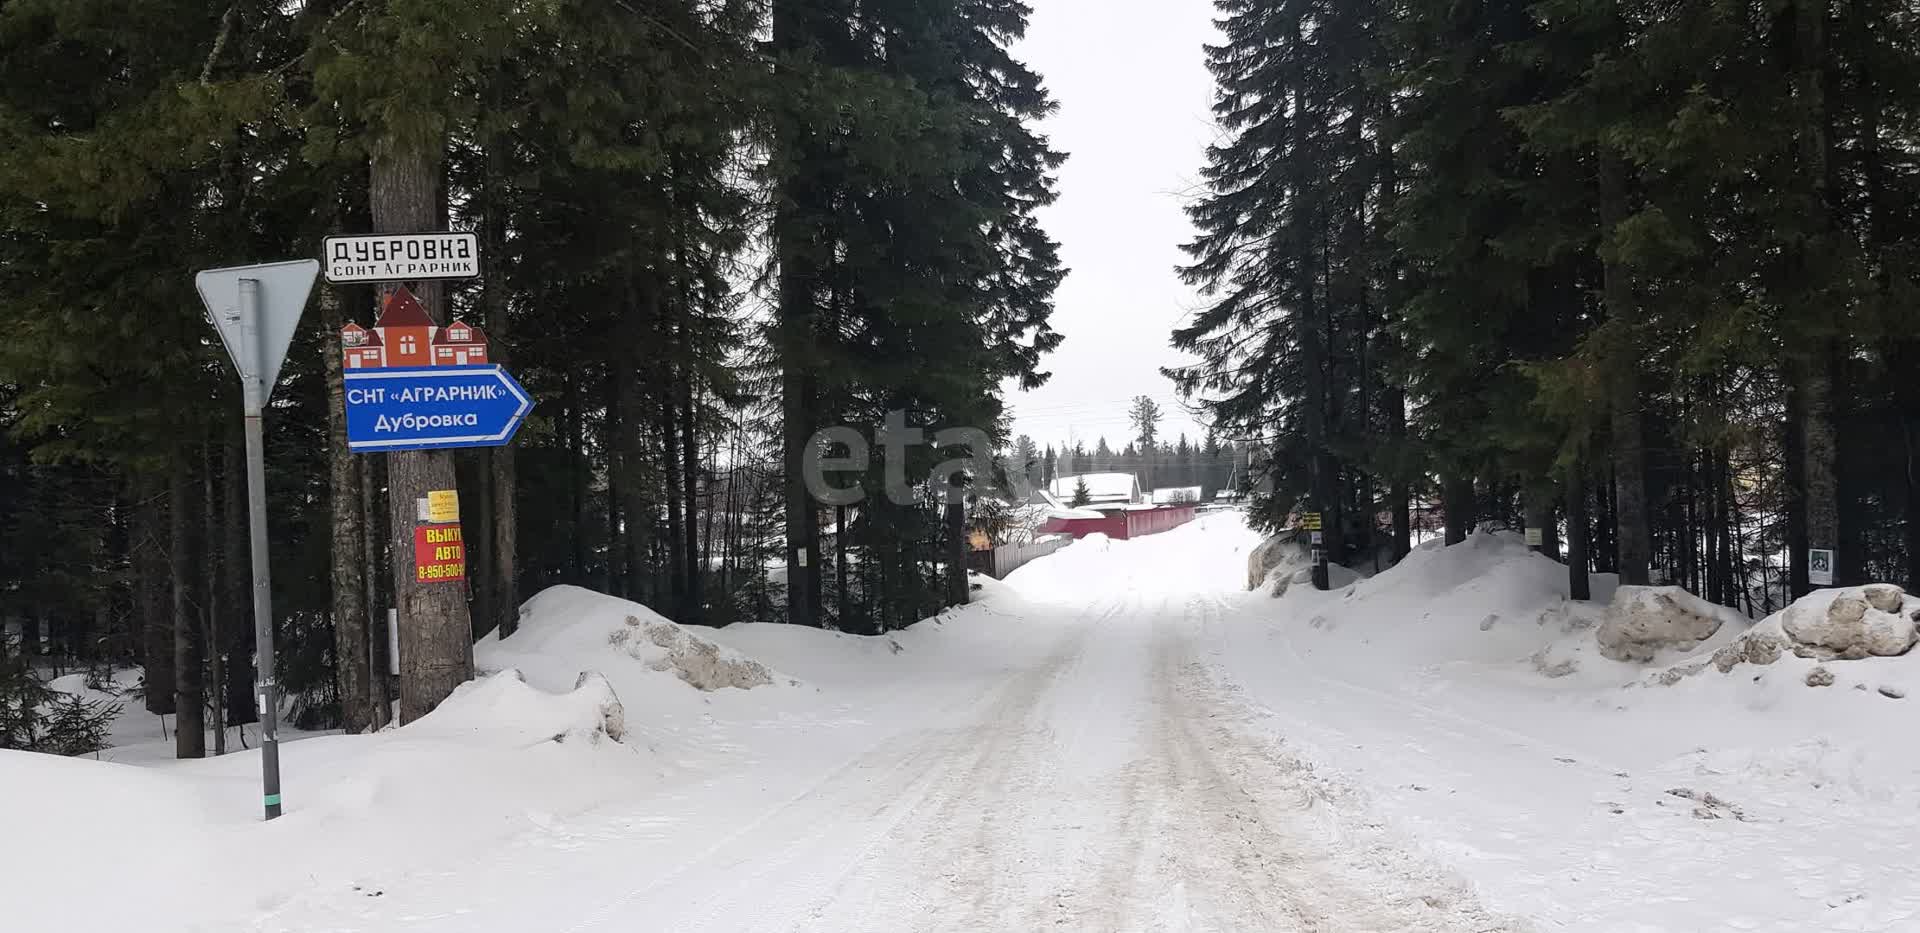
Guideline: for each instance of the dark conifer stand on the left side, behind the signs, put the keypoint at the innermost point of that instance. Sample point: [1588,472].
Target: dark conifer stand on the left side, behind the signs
[708,229]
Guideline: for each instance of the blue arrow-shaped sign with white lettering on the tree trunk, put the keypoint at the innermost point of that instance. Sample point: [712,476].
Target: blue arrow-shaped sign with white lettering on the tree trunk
[433,408]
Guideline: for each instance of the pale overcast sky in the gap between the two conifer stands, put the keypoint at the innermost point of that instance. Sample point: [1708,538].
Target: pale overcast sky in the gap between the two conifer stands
[1134,93]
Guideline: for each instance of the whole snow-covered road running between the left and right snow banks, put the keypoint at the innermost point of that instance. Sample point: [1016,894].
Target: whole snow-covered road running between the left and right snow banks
[1099,780]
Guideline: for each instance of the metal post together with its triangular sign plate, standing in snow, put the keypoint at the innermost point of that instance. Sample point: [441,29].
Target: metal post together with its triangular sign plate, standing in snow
[256,310]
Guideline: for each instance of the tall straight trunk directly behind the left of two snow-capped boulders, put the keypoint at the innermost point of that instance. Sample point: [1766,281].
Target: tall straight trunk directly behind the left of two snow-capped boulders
[1635,527]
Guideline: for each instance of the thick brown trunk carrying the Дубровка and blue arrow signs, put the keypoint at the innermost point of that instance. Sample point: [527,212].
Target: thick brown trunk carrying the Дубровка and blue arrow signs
[435,629]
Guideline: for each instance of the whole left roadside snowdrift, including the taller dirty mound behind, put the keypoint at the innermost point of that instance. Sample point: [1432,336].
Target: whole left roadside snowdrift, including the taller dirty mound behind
[564,719]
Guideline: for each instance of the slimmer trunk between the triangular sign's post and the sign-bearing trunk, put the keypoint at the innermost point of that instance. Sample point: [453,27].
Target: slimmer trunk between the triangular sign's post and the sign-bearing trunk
[352,658]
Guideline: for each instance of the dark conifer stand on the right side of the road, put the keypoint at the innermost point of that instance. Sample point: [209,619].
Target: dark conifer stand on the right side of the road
[1639,272]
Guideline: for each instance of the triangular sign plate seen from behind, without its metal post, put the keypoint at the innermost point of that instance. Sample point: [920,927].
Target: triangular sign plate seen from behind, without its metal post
[258,347]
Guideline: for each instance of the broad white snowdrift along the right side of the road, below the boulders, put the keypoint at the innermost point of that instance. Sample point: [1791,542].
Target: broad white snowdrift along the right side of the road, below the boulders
[1472,704]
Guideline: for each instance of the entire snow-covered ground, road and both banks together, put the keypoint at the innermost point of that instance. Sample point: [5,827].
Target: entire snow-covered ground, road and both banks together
[1118,738]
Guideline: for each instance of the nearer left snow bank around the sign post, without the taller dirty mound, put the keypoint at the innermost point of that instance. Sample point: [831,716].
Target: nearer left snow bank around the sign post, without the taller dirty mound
[496,761]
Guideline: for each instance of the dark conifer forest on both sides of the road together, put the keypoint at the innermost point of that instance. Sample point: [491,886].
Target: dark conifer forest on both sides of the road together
[1635,275]
